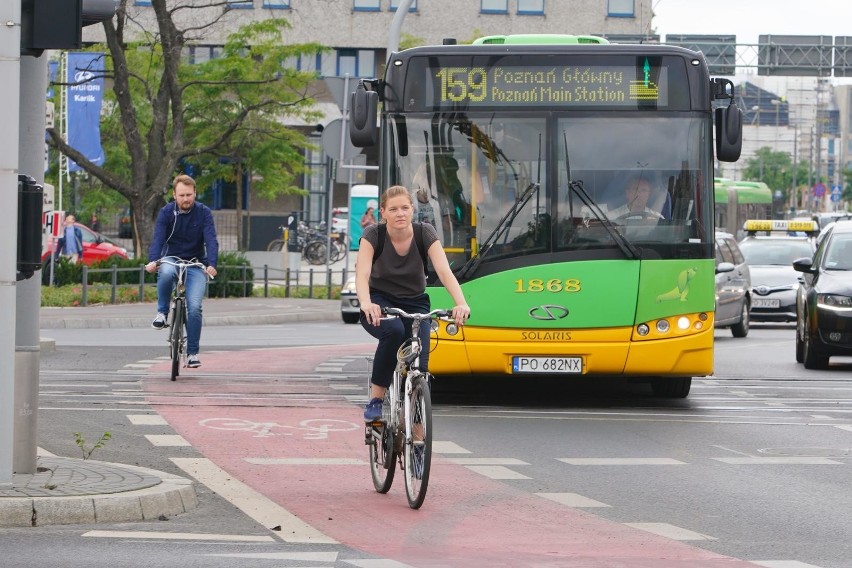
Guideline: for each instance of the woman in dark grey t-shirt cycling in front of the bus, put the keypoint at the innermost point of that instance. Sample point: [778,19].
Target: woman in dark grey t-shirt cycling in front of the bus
[396,279]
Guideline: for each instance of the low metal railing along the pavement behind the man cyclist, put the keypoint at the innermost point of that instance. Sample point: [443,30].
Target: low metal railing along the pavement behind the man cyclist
[310,283]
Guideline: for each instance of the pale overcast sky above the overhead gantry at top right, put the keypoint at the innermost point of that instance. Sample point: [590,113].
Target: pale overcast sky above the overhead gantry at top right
[748,19]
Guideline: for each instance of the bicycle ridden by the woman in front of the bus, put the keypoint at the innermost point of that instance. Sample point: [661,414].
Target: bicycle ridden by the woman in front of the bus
[404,432]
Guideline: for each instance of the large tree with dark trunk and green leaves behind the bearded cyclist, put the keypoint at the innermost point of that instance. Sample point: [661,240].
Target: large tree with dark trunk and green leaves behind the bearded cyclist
[169,113]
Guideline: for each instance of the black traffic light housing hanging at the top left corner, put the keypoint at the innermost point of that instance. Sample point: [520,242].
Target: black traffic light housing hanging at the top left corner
[57,24]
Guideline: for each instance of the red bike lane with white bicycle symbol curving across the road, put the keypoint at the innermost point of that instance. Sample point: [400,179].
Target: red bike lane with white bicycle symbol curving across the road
[305,451]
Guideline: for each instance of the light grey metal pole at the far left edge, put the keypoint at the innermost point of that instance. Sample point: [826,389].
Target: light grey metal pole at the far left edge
[10,70]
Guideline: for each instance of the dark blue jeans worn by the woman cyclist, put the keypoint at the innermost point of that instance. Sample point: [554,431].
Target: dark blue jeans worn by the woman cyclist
[392,332]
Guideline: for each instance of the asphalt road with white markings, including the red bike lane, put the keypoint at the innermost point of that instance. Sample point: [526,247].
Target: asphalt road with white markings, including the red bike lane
[754,465]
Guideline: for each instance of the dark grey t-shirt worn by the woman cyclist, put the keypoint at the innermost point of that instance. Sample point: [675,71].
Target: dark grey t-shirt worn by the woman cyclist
[399,275]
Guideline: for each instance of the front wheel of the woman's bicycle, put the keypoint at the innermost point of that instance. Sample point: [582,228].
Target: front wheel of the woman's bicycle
[418,453]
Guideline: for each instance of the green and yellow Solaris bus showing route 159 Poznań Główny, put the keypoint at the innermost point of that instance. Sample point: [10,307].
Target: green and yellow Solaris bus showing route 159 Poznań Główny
[520,148]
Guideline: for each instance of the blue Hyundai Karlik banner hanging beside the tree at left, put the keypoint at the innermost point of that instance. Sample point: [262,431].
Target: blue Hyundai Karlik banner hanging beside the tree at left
[85,75]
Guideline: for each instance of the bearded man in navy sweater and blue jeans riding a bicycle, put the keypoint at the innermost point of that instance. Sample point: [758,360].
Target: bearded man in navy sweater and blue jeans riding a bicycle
[184,230]
